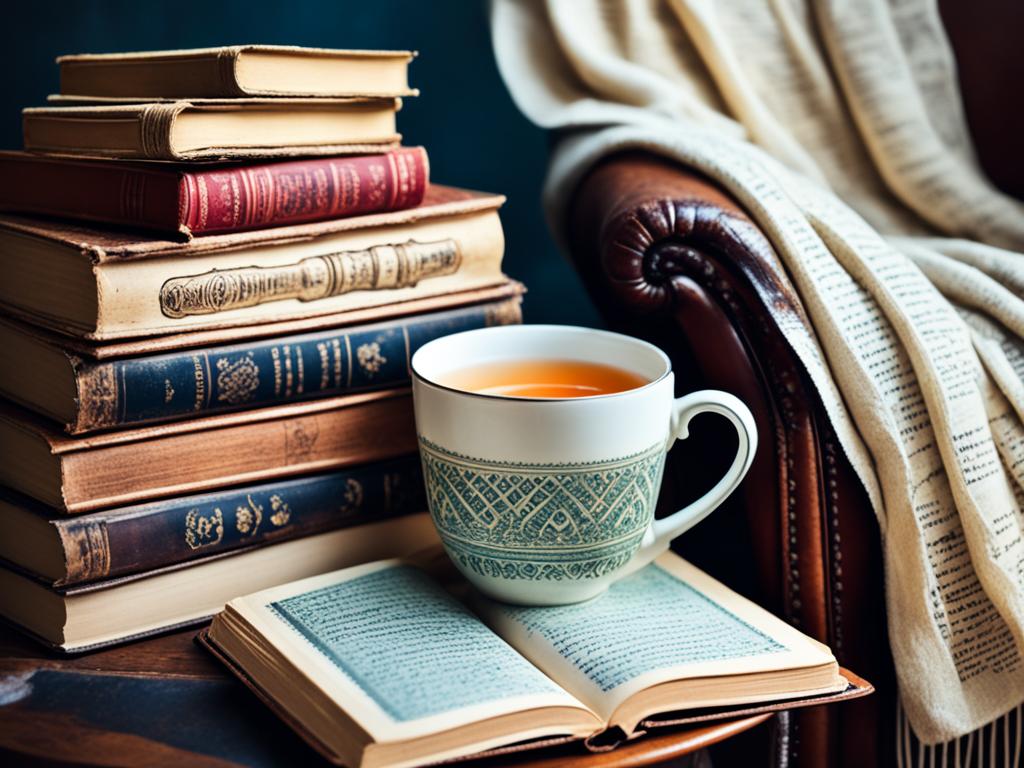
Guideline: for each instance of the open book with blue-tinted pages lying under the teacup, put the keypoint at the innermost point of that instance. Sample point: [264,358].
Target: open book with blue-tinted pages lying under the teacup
[380,666]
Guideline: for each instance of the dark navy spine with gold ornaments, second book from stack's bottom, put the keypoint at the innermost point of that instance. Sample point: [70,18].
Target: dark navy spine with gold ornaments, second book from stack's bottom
[156,536]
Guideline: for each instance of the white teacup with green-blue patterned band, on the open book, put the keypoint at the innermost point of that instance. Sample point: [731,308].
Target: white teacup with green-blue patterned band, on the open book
[547,502]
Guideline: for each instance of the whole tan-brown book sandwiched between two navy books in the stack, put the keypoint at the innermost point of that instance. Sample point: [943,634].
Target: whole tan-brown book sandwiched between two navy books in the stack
[79,475]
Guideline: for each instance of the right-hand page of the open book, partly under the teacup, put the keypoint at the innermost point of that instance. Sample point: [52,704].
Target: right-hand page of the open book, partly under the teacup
[667,622]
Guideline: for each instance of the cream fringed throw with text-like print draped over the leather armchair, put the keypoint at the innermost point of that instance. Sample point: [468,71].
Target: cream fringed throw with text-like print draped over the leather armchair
[838,126]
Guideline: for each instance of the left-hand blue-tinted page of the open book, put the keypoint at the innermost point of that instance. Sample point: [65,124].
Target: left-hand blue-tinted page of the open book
[398,653]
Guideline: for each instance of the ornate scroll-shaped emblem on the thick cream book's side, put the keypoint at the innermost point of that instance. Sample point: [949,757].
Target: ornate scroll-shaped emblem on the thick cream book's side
[377,269]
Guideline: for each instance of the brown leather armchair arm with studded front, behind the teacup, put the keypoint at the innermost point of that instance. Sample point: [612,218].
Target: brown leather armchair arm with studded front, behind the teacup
[669,258]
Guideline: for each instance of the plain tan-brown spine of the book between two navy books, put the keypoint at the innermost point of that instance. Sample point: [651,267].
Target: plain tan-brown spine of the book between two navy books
[294,441]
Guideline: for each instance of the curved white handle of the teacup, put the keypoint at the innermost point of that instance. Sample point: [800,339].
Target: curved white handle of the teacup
[660,535]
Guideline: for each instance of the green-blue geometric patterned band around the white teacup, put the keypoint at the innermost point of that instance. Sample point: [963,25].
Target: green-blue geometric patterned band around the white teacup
[542,522]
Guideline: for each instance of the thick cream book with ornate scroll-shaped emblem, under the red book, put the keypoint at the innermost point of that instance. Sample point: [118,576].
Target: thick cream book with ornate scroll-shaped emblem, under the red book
[104,285]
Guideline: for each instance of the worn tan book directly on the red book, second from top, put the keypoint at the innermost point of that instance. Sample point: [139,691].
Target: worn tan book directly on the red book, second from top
[214,131]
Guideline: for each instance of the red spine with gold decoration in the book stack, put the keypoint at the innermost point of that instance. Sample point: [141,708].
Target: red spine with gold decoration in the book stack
[272,195]
